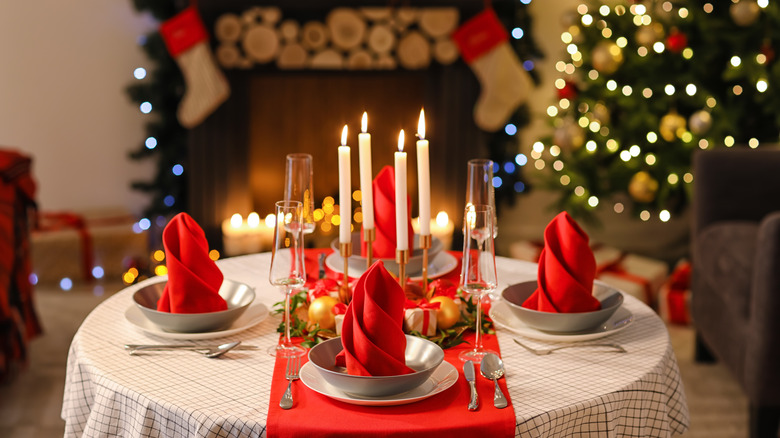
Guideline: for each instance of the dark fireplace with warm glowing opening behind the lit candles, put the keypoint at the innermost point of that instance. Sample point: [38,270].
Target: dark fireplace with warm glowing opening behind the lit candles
[236,156]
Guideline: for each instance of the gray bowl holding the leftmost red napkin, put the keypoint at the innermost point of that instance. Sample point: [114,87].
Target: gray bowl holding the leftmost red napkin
[238,296]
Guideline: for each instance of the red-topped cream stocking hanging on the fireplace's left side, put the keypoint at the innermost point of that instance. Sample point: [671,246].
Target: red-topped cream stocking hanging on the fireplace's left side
[187,42]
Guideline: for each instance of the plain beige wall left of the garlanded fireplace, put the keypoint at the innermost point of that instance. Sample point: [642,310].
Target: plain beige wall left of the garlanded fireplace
[63,70]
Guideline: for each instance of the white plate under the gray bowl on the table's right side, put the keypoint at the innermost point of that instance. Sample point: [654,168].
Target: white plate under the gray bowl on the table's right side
[502,315]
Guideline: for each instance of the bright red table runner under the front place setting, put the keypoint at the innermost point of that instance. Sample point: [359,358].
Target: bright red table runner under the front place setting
[442,415]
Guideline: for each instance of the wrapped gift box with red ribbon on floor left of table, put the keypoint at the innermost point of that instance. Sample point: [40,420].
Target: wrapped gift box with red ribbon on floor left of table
[70,244]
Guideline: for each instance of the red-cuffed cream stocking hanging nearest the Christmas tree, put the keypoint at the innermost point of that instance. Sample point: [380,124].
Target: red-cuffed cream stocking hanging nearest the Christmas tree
[483,43]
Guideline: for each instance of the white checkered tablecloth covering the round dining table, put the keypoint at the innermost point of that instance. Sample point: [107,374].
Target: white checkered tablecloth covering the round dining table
[568,393]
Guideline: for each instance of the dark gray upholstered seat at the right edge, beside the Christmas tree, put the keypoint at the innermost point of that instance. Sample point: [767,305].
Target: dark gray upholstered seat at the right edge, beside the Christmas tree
[736,273]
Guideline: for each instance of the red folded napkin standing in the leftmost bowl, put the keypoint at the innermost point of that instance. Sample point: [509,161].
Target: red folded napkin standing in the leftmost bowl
[193,278]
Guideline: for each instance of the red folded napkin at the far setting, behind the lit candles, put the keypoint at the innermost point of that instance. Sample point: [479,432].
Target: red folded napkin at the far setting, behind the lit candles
[384,216]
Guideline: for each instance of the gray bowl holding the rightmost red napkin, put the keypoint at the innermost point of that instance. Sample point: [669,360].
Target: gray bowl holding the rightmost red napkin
[516,294]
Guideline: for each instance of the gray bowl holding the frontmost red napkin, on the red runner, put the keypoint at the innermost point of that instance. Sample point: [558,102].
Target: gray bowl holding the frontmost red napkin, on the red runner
[422,355]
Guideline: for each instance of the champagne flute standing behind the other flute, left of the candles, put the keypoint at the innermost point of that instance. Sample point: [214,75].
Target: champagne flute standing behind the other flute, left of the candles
[298,186]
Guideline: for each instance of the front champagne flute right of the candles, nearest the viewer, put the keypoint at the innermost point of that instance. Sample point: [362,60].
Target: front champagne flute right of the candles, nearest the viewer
[478,274]
